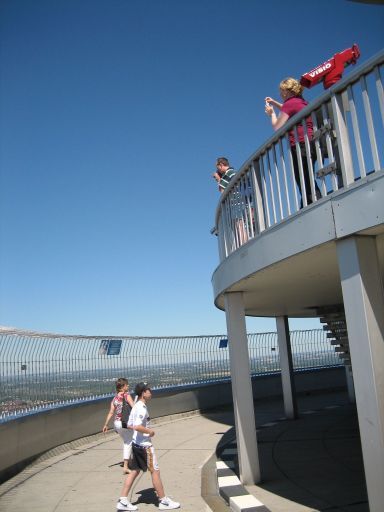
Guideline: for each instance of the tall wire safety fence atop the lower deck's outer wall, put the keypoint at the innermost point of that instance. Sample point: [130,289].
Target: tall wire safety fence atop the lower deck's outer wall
[40,371]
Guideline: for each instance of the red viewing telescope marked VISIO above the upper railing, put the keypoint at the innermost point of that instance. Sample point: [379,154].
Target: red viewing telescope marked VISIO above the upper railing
[332,70]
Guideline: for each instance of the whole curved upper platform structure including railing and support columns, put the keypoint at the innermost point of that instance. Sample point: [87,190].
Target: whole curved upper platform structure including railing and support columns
[301,234]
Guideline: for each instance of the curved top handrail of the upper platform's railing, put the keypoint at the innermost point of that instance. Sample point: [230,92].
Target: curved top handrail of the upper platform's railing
[353,77]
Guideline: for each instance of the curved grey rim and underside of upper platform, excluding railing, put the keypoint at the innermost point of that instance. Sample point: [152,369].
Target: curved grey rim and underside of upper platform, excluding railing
[292,268]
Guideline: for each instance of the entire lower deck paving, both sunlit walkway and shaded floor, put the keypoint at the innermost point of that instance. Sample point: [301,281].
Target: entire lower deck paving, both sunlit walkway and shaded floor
[311,464]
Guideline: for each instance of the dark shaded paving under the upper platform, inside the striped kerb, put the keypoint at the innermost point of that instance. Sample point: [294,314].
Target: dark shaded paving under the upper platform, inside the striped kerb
[313,463]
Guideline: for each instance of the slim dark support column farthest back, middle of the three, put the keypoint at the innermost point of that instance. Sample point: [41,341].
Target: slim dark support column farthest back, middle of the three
[287,379]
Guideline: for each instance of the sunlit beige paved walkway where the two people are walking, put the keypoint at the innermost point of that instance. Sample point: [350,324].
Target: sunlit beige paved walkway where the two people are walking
[89,478]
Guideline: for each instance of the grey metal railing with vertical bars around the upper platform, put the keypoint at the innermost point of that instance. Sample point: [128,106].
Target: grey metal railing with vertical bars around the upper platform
[346,145]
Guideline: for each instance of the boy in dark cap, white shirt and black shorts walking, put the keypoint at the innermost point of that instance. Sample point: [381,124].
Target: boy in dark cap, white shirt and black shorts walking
[143,453]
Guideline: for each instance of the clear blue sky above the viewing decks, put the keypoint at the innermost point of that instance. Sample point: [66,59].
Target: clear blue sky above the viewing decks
[112,115]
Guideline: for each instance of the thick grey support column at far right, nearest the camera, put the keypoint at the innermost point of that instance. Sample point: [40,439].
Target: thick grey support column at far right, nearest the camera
[363,296]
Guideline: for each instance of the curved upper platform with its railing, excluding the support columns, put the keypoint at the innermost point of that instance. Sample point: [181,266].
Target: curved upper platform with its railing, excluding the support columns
[277,248]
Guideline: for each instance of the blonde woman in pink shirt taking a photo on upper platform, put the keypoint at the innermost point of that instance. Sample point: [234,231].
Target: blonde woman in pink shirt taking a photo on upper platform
[291,93]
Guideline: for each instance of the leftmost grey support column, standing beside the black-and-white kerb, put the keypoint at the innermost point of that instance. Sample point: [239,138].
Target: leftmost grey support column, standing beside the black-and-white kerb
[242,389]
